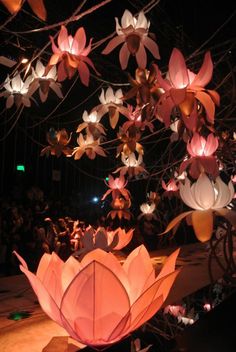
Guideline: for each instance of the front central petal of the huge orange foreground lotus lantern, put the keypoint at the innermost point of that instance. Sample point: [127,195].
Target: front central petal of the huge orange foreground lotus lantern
[102,309]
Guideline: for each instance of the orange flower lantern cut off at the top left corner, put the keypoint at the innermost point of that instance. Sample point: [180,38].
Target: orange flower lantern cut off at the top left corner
[37,7]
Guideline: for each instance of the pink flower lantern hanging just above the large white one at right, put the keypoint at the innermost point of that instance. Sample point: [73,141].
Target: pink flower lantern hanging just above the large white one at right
[202,158]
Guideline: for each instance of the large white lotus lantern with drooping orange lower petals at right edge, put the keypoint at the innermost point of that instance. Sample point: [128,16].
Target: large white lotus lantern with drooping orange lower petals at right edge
[207,198]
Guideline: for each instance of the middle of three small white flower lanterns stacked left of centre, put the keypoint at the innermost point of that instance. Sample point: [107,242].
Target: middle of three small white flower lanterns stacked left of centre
[92,124]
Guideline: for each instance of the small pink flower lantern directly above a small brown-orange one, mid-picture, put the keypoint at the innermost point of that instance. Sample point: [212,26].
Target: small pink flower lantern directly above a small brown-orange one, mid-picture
[117,188]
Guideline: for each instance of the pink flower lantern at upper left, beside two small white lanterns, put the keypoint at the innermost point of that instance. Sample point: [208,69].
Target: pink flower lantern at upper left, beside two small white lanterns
[72,55]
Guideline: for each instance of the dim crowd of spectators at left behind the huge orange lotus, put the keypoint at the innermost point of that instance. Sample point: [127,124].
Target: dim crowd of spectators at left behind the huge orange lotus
[32,225]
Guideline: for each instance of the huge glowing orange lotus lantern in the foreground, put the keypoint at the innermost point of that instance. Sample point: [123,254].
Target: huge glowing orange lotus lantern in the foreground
[98,300]
